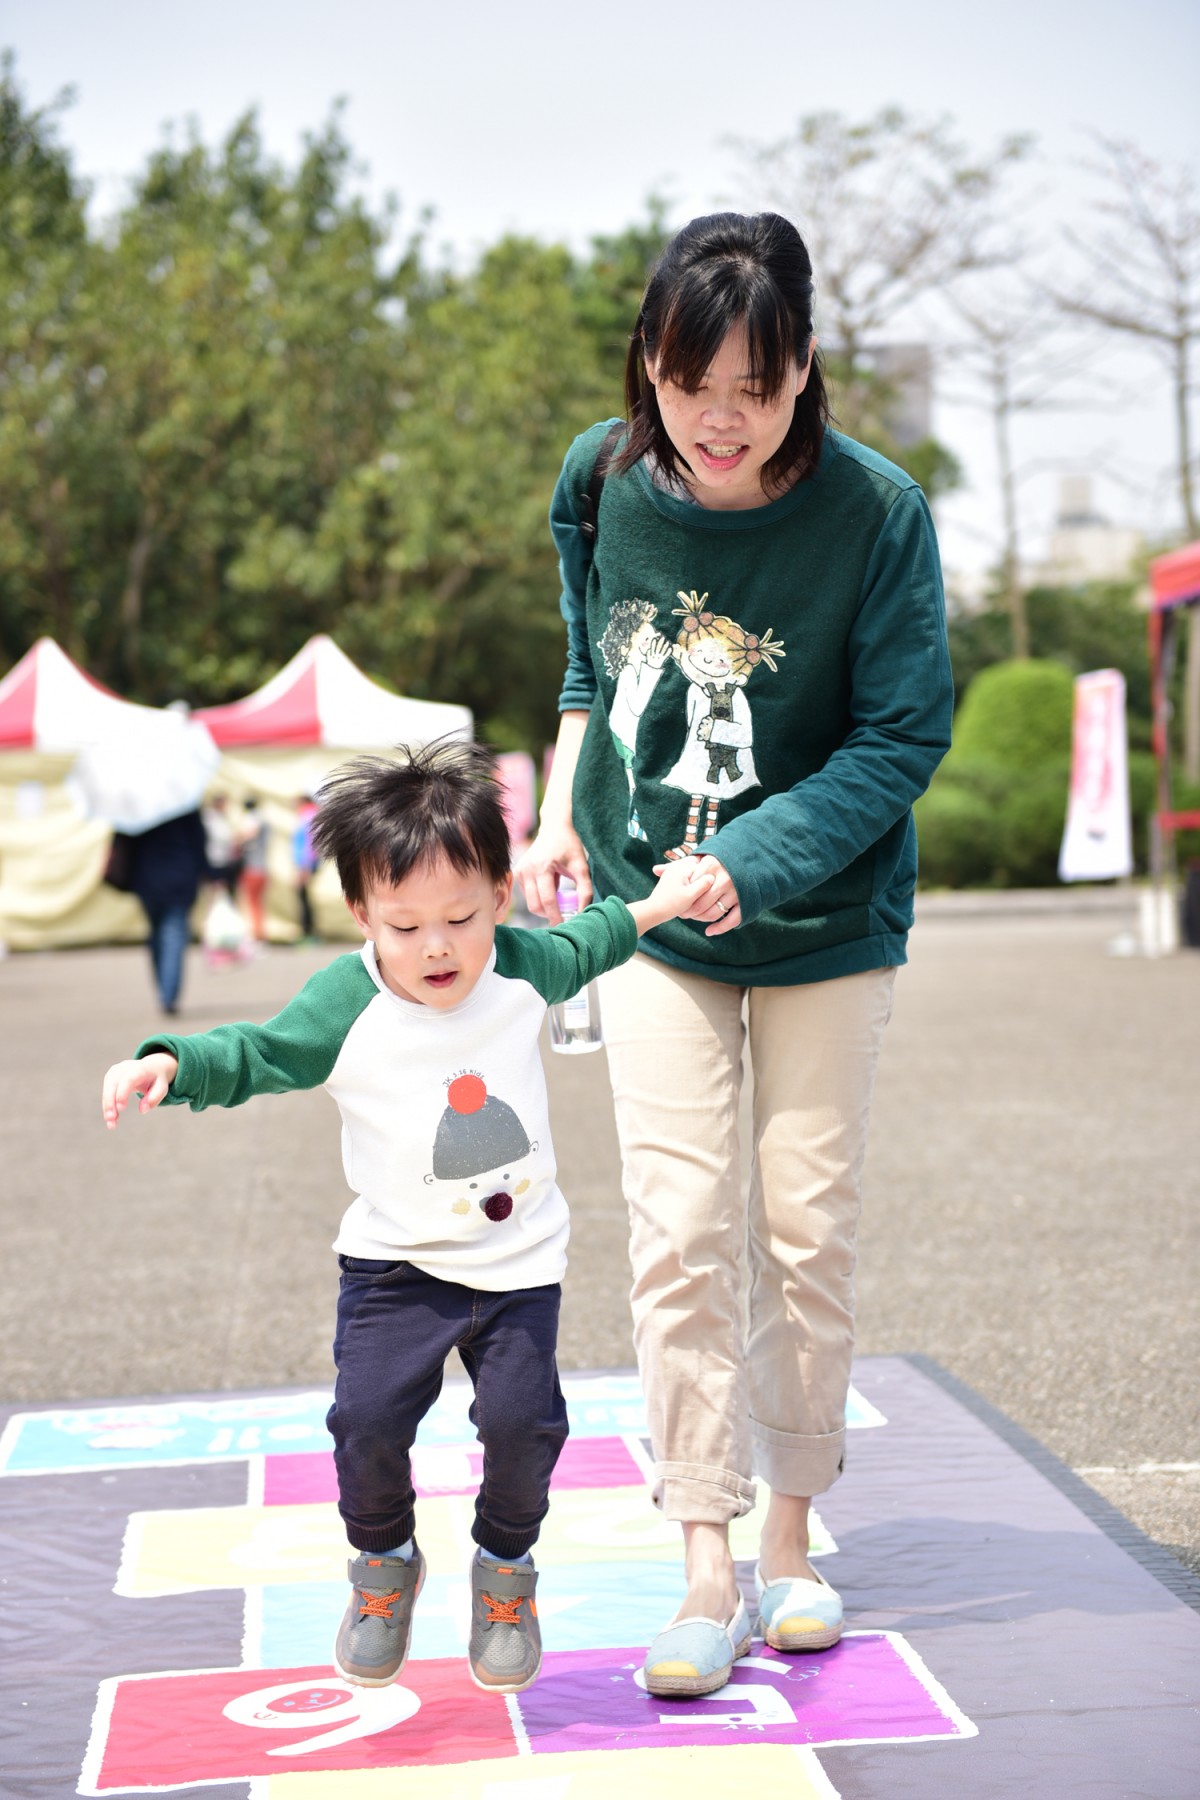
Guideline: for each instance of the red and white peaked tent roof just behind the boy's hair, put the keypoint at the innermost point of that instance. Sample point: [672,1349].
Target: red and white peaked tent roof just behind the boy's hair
[321,699]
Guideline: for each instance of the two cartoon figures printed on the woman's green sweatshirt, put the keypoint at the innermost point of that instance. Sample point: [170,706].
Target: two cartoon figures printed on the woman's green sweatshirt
[717,658]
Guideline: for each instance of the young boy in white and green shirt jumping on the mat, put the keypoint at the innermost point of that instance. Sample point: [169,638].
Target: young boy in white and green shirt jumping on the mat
[458,1237]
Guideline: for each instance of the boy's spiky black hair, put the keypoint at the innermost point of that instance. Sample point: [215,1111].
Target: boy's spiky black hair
[381,818]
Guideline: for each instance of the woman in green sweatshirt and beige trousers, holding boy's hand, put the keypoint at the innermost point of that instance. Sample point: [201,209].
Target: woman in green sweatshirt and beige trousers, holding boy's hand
[803,708]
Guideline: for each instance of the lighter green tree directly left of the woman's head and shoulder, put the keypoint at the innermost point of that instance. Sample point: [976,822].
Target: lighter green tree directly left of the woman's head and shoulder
[440,544]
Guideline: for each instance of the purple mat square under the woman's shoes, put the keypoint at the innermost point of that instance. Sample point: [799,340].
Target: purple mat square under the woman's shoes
[868,1689]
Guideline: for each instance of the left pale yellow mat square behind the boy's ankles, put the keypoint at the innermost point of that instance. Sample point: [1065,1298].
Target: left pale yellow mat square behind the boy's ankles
[251,1547]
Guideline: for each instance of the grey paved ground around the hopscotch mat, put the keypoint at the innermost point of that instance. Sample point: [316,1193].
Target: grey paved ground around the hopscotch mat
[1032,1216]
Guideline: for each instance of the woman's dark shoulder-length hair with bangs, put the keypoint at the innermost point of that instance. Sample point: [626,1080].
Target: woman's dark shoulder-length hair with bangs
[721,273]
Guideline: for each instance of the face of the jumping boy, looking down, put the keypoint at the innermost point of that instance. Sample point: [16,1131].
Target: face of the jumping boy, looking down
[433,933]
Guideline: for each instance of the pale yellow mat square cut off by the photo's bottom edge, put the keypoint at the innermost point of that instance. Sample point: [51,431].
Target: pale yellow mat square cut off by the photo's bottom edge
[591,1776]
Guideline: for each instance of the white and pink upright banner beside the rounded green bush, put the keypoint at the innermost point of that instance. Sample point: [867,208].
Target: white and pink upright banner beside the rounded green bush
[1098,841]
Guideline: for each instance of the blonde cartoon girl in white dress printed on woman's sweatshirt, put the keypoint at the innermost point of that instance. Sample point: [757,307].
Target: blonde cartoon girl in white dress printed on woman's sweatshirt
[717,656]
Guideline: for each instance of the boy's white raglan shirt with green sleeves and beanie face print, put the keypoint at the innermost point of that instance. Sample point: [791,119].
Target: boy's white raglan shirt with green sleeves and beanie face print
[445,1117]
